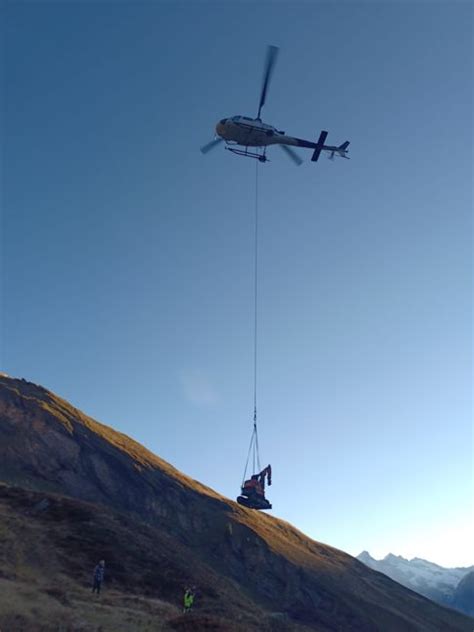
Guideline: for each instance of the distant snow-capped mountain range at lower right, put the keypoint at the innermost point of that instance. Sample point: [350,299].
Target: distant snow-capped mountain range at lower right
[453,587]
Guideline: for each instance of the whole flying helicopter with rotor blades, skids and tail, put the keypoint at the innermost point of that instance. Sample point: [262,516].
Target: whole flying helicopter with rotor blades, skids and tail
[250,137]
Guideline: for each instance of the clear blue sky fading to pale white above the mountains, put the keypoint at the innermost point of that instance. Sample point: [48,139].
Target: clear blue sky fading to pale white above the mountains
[127,255]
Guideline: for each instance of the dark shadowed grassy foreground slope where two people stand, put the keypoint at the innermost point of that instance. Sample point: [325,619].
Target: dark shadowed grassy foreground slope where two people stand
[49,546]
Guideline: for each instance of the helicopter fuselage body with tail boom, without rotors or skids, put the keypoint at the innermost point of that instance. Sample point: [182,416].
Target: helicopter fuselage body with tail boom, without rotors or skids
[249,132]
